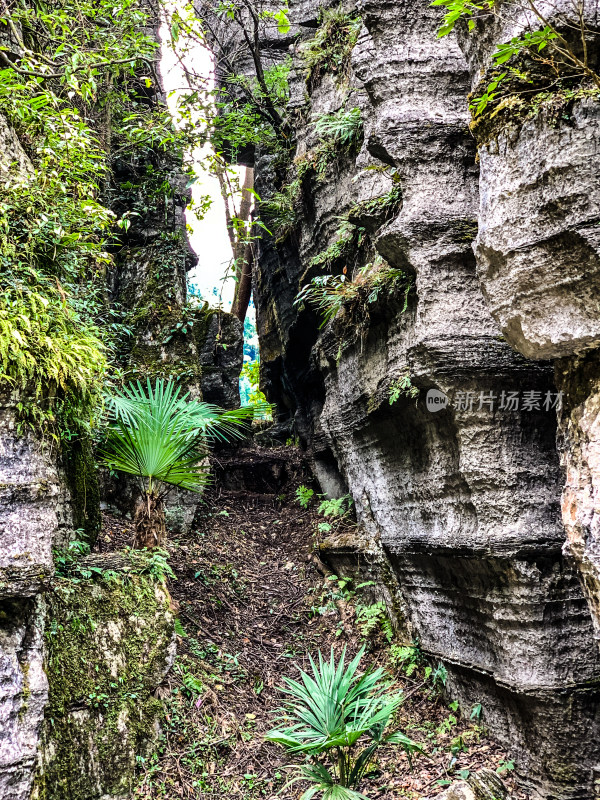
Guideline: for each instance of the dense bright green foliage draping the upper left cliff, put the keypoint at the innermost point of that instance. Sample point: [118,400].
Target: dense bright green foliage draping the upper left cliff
[70,60]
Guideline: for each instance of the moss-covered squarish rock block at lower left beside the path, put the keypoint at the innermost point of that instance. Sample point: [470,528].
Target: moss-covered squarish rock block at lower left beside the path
[109,643]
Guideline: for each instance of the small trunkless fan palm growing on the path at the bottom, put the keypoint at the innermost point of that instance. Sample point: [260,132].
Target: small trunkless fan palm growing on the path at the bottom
[326,716]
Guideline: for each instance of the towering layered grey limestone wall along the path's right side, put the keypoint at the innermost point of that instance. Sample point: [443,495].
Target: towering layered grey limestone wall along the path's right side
[463,498]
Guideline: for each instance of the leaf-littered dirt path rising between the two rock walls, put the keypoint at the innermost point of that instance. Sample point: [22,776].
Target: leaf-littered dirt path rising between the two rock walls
[253,602]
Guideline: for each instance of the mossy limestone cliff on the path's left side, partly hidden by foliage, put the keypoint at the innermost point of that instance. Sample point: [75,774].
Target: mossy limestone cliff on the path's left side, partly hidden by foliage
[81,658]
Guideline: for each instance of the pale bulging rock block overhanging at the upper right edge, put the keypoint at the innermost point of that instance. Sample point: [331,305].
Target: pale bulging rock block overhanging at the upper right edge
[538,247]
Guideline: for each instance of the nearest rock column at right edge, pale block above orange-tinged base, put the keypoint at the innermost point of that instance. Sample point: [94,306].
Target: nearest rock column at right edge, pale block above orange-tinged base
[538,259]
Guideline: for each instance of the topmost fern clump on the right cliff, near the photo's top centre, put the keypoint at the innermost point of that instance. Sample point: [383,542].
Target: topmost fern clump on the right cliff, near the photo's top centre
[330,49]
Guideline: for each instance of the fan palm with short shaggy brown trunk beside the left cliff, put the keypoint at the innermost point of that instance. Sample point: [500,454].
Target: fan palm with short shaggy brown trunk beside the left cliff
[158,435]
